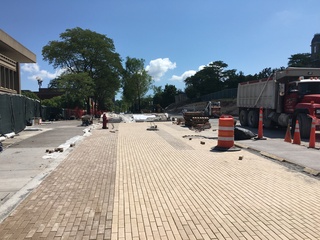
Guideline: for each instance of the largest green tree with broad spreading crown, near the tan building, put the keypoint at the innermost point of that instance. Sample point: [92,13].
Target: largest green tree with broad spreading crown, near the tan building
[86,51]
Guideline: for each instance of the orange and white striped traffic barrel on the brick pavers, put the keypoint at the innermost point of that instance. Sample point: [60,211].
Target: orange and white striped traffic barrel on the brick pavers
[226,134]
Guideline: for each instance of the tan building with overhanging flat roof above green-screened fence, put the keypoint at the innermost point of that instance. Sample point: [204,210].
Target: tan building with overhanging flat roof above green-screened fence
[12,53]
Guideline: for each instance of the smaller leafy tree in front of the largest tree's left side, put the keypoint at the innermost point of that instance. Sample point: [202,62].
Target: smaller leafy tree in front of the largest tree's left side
[78,88]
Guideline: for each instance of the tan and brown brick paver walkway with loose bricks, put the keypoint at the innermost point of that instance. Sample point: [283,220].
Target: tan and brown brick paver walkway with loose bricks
[137,184]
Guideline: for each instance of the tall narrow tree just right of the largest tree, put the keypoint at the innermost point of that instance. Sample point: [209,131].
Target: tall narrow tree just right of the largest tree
[136,82]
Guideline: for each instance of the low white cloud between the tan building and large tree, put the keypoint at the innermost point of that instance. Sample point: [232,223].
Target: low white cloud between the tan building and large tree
[34,71]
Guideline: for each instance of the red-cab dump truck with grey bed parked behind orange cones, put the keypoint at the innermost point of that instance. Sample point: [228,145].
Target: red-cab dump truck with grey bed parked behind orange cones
[286,96]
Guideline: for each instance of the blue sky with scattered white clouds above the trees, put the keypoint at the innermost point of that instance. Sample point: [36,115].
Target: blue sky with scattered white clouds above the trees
[174,37]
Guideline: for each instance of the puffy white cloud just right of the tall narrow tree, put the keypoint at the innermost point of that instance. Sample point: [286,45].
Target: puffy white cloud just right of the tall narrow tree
[158,67]
